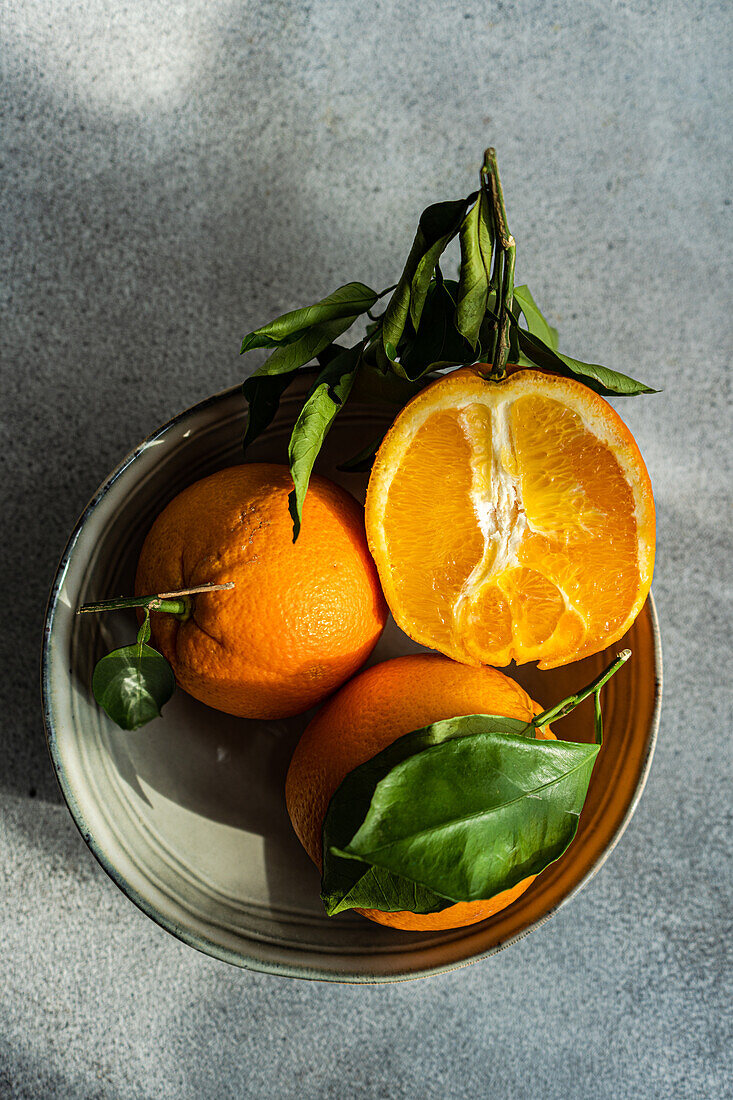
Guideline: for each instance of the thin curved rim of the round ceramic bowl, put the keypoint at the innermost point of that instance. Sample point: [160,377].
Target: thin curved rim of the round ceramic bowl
[200,942]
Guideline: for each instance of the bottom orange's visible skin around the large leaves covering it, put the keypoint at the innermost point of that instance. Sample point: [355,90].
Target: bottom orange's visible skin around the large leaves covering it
[373,711]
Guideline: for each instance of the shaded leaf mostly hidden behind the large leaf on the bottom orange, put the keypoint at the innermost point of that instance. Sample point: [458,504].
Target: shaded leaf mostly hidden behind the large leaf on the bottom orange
[348,884]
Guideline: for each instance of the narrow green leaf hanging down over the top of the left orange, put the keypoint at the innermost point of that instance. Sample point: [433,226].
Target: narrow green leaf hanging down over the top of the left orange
[331,391]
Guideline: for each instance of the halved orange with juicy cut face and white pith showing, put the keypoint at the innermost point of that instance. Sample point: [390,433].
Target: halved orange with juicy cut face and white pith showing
[512,521]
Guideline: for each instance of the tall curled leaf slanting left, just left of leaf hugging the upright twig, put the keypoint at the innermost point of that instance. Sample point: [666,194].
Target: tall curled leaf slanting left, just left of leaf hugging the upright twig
[439,225]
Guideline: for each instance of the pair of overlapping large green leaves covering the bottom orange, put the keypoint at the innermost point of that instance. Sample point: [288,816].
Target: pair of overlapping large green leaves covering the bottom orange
[464,809]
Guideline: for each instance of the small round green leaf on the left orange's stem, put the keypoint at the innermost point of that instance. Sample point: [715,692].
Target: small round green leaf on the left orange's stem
[133,684]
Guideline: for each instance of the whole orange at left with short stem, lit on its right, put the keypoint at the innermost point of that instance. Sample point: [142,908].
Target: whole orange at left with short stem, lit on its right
[302,618]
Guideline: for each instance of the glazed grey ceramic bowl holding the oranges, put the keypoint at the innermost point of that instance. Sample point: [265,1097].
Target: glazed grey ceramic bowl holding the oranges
[188,815]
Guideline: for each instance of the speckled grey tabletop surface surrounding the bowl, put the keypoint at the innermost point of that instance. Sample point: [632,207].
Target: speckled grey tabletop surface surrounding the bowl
[178,173]
